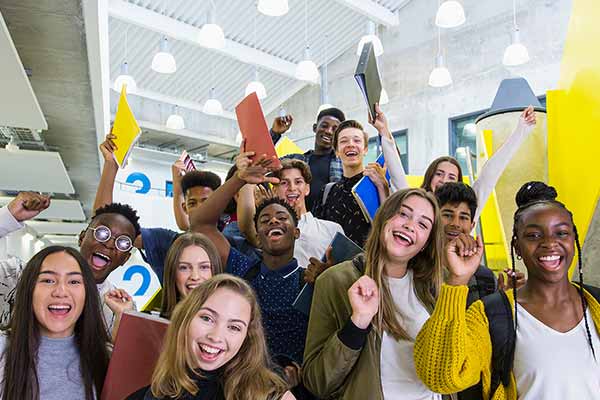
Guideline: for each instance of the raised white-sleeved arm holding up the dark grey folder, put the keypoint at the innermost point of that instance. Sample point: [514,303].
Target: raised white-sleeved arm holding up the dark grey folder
[390,151]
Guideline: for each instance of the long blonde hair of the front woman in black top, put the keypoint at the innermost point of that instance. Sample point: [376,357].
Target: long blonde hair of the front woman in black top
[246,375]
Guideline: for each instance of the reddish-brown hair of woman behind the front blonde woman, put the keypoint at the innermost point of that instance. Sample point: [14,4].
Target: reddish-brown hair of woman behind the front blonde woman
[170,294]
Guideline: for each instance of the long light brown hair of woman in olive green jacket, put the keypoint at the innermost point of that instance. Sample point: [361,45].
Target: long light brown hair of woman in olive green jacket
[426,265]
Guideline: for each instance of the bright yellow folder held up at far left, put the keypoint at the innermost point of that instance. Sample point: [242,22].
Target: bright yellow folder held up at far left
[126,130]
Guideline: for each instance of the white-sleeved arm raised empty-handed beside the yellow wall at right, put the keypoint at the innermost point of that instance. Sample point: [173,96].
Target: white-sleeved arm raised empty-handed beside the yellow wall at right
[495,165]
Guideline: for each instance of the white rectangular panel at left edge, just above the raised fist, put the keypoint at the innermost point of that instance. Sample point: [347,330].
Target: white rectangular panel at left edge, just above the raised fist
[40,171]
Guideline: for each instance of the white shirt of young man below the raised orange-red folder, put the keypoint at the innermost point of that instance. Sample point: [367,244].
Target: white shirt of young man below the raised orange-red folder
[315,235]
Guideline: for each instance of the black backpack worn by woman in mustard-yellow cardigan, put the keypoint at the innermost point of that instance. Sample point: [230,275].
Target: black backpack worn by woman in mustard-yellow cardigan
[502,334]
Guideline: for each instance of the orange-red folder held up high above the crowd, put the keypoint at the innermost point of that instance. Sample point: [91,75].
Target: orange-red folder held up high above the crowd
[253,126]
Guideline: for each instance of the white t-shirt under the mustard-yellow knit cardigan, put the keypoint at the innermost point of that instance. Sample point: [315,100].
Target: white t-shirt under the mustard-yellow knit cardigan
[552,365]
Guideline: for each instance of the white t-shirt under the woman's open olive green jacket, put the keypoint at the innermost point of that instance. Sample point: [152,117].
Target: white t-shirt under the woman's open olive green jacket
[398,375]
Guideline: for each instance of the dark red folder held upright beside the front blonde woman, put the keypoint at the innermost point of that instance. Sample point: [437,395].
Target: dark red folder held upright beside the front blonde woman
[137,347]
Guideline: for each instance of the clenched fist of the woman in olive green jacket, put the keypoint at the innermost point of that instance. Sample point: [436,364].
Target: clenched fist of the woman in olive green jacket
[364,300]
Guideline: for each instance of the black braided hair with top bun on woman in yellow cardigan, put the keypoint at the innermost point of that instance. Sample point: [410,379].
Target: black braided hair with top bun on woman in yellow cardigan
[531,194]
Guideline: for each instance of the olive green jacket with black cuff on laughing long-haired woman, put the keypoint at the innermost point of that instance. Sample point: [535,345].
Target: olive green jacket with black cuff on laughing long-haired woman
[341,361]
